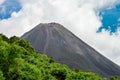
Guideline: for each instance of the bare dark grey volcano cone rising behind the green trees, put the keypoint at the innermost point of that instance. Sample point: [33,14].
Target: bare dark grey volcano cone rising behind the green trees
[56,41]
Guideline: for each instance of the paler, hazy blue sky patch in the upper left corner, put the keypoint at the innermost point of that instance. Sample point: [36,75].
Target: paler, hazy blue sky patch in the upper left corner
[8,7]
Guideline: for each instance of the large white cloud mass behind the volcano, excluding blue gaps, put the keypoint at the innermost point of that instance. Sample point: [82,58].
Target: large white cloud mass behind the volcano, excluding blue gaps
[79,16]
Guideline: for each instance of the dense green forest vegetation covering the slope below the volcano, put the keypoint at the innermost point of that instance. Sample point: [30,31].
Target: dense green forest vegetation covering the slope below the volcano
[19,61]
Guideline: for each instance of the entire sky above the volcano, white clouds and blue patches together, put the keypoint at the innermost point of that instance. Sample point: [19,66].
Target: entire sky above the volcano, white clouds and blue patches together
[97,22]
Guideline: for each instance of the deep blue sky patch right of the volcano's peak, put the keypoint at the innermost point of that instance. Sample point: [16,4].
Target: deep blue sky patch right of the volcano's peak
[111,19]
